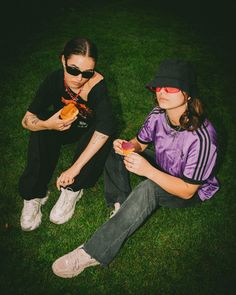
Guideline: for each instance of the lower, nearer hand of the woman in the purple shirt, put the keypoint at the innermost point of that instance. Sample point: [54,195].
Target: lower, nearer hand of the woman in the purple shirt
[137,164]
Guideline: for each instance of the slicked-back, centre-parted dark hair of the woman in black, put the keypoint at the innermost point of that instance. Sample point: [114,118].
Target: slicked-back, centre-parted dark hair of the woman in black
[80,46]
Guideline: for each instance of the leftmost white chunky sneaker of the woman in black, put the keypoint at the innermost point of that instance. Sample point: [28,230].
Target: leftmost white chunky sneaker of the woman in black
[31,214]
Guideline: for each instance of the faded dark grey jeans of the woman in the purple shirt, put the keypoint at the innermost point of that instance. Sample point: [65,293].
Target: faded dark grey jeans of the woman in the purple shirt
[135,209]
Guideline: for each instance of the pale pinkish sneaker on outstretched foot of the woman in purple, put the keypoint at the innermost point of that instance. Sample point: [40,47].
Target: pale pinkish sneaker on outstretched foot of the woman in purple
[73,263]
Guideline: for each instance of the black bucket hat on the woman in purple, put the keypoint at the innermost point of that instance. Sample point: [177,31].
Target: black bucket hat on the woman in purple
[176,73]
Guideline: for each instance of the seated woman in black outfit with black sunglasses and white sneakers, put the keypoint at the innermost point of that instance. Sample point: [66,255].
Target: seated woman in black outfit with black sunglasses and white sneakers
[79,83]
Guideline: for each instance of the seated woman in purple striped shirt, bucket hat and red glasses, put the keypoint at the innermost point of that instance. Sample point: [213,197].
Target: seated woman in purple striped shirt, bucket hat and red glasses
[179,172]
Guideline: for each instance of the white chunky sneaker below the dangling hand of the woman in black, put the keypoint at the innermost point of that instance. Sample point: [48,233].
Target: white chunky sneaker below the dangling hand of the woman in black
[64,208]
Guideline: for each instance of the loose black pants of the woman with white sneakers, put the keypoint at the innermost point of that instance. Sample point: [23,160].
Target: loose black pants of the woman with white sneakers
[43,154]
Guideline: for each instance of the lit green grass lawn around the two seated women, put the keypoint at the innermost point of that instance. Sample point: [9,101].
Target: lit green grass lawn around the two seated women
[187,251]
